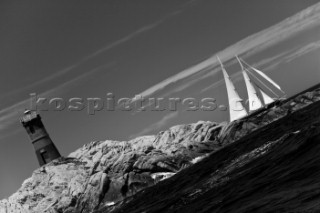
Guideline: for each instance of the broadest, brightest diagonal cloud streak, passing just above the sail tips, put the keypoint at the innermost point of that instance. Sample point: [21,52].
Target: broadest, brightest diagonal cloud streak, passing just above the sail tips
[251,45]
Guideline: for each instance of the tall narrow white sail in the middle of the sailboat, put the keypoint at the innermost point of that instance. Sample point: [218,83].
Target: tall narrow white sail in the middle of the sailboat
[254,100]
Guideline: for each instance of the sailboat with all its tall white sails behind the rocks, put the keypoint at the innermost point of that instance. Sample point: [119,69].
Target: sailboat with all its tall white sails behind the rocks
[257,97]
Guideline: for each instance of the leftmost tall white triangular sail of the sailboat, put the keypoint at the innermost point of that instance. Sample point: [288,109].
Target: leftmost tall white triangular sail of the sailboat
[236,108]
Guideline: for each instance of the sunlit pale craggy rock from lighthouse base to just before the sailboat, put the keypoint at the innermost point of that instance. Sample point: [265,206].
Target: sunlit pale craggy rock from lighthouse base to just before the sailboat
[103,172]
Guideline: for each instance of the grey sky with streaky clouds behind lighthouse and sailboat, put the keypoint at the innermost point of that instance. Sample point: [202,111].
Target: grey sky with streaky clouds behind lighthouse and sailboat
[157,49]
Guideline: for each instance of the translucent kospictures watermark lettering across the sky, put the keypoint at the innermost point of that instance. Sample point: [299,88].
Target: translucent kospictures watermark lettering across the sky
[110,103]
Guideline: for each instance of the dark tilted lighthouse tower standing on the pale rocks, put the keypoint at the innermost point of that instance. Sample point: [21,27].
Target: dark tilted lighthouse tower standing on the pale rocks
[45,149]
